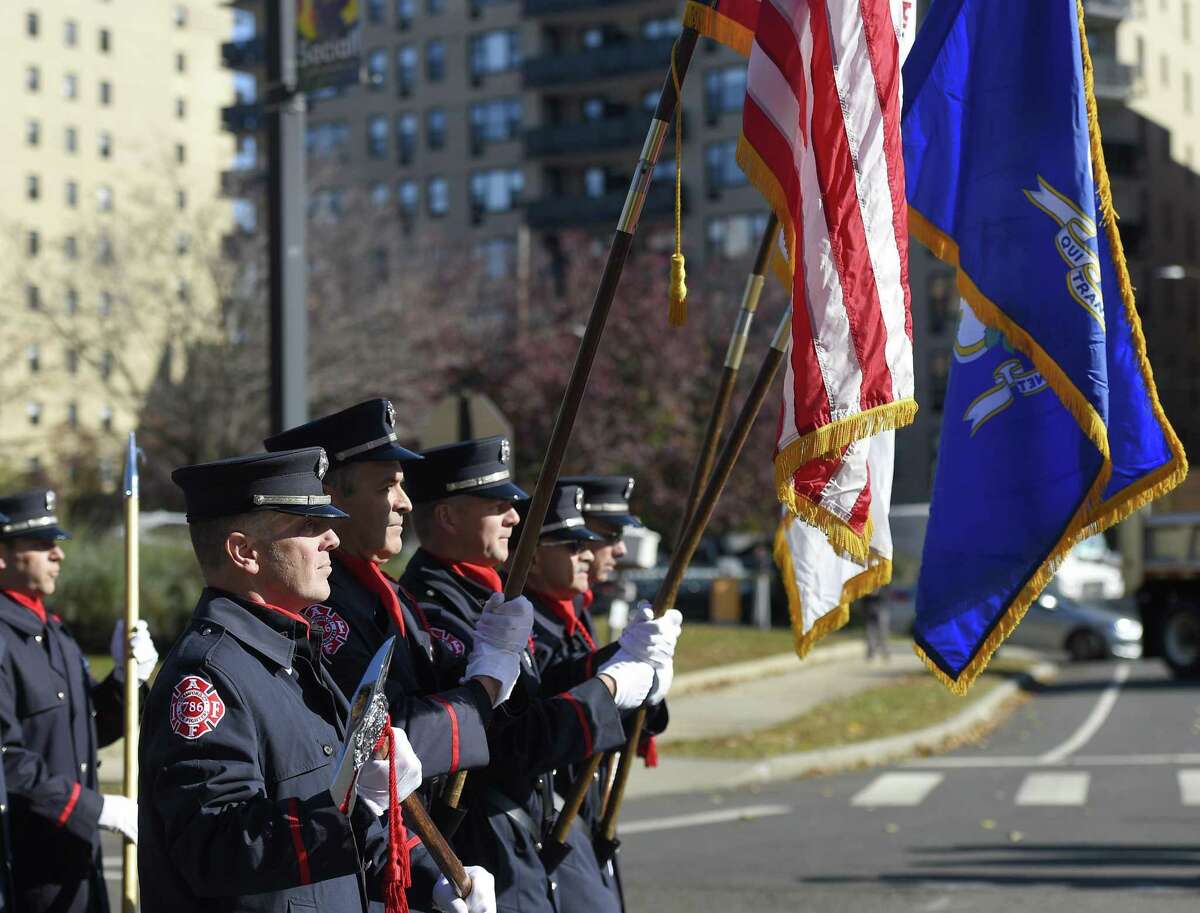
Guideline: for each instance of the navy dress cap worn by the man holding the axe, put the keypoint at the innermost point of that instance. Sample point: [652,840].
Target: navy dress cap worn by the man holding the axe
[289,483]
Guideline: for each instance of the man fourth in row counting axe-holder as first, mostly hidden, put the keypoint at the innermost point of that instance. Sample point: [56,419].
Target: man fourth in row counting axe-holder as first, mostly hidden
[561,574]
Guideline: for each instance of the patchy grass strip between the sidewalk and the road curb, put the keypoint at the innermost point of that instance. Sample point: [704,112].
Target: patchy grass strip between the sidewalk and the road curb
[908,705]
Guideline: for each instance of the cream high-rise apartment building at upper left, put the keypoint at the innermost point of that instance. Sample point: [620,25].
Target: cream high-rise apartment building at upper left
[113,145]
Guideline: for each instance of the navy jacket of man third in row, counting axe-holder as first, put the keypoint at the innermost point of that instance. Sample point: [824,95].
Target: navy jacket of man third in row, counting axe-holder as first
[549,723]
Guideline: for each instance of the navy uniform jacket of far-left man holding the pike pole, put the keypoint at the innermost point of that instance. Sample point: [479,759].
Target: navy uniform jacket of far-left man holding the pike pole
[53,719]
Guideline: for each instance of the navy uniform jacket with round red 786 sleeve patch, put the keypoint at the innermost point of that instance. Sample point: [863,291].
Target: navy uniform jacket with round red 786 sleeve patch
[239,740]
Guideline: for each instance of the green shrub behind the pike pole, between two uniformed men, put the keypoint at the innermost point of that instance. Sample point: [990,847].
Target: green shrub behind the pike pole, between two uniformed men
[92,591]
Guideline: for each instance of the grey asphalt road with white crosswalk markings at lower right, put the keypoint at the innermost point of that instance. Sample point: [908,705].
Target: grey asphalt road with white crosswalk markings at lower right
[1088,800]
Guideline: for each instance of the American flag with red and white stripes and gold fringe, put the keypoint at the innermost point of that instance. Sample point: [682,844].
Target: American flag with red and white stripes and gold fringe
[821,141]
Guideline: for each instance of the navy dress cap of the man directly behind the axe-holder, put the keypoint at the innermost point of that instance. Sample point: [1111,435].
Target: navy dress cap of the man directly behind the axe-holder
[364,433]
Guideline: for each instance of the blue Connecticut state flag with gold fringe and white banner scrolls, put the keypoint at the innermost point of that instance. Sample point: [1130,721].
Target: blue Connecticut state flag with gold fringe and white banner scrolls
[1052,428]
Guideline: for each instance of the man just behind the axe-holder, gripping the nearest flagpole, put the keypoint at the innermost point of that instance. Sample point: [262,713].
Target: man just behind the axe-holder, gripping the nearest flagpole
[445,720]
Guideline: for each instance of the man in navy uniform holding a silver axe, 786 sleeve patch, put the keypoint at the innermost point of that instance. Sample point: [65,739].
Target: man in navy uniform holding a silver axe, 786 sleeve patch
[244,724]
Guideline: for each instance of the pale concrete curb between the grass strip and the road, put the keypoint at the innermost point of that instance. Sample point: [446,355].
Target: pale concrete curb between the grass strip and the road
[733,776]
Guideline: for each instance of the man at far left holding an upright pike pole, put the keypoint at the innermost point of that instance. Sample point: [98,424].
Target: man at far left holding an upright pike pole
[53,719]
